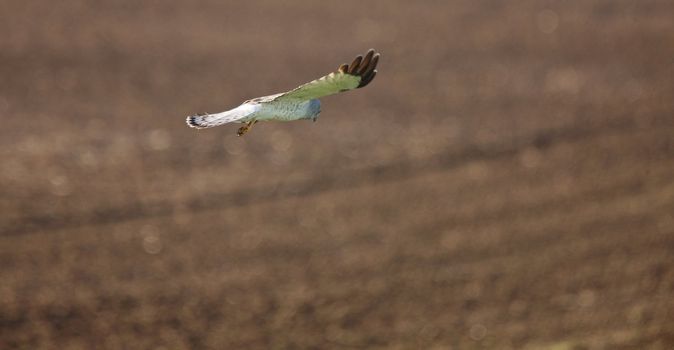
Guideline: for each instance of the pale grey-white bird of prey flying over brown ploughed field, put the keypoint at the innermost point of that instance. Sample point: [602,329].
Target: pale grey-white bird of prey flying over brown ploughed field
[299,103]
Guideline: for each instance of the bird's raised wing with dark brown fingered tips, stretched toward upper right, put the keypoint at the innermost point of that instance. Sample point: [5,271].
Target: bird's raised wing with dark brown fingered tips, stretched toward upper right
[347,77]
